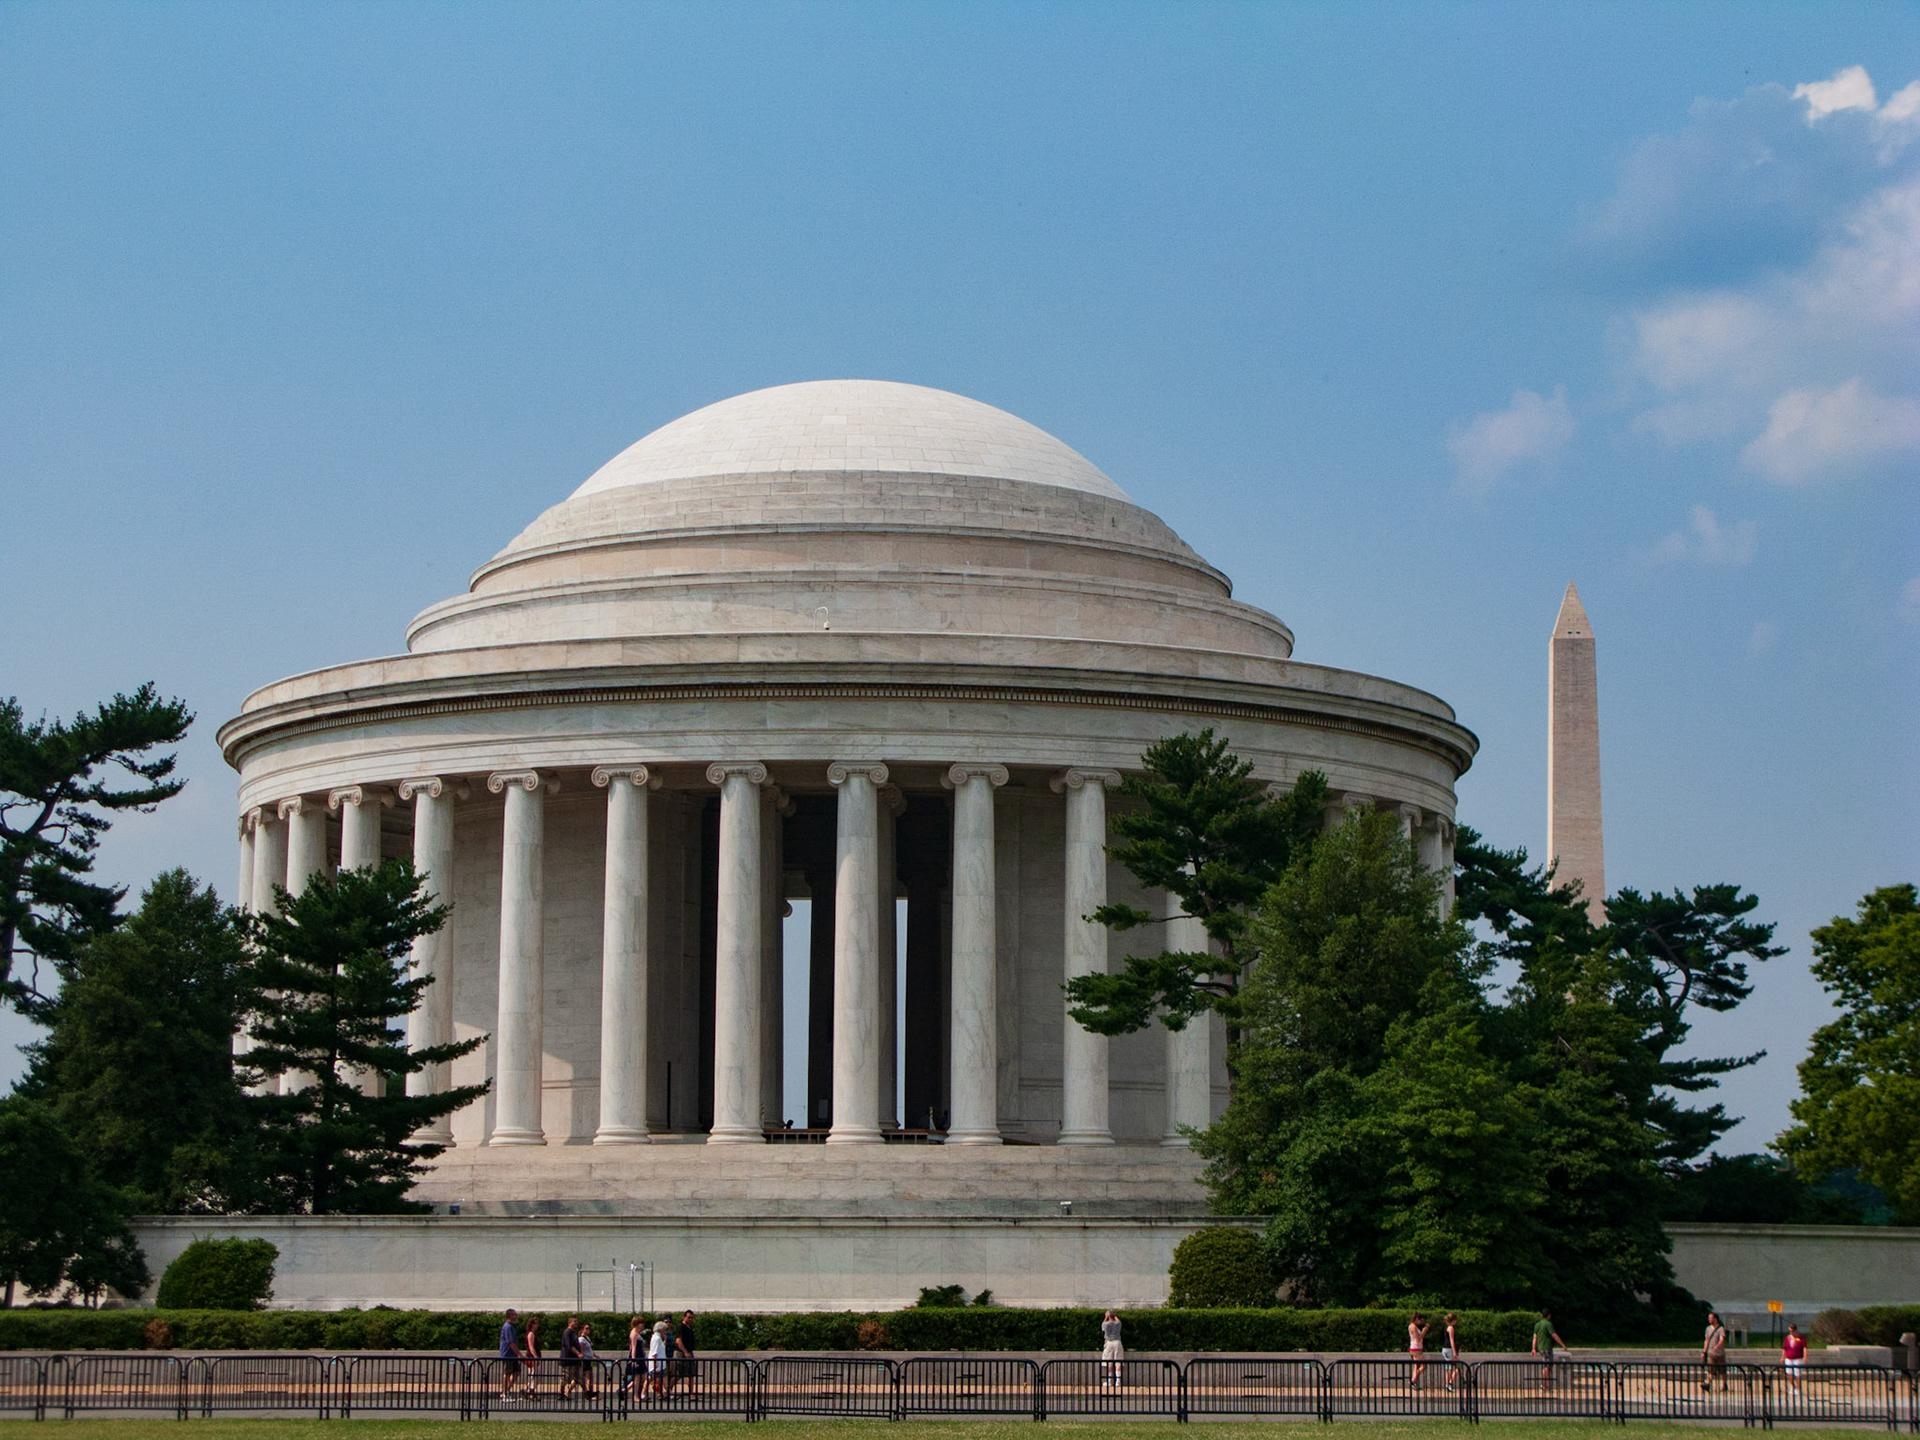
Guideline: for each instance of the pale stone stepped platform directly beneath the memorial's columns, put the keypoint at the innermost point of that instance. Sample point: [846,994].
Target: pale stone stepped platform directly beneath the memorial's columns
[817,1180]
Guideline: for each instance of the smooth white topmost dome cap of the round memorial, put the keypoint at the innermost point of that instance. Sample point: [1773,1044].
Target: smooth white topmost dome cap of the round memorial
[852,427]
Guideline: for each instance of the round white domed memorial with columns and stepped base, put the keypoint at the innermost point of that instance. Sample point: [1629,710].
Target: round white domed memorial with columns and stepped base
[802,717]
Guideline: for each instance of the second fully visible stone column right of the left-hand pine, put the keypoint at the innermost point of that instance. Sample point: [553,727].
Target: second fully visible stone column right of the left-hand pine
[625,957]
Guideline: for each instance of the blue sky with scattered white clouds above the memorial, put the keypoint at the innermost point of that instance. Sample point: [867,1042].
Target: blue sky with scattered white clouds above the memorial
[1404,316]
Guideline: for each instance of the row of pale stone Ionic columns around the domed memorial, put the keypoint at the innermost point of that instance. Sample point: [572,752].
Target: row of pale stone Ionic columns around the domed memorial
[287,844]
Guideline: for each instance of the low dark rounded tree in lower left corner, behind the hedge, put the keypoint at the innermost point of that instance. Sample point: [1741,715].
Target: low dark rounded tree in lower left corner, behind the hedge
[59,1224]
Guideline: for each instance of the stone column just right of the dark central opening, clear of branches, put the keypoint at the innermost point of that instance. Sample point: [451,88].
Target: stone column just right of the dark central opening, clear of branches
[976,1022]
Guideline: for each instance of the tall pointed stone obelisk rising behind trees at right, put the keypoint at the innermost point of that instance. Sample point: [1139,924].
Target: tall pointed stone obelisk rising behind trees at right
[1575,842]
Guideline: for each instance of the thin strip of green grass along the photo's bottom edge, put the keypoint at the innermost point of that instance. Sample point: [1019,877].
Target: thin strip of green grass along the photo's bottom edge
[287,1429]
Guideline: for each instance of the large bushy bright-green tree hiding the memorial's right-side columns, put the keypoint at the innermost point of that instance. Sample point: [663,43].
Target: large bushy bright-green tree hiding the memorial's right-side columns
[1370,1124]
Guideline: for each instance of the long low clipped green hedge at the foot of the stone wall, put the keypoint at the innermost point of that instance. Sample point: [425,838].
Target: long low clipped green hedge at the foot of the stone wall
[988,1328]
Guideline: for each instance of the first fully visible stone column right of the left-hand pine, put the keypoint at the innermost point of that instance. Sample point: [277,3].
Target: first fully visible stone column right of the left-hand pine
[517,1030]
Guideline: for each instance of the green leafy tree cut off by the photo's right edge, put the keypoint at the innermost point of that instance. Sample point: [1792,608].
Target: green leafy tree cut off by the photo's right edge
[1861,1076]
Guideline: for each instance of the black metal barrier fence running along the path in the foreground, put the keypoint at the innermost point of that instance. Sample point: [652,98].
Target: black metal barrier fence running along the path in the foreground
[846,1387]
